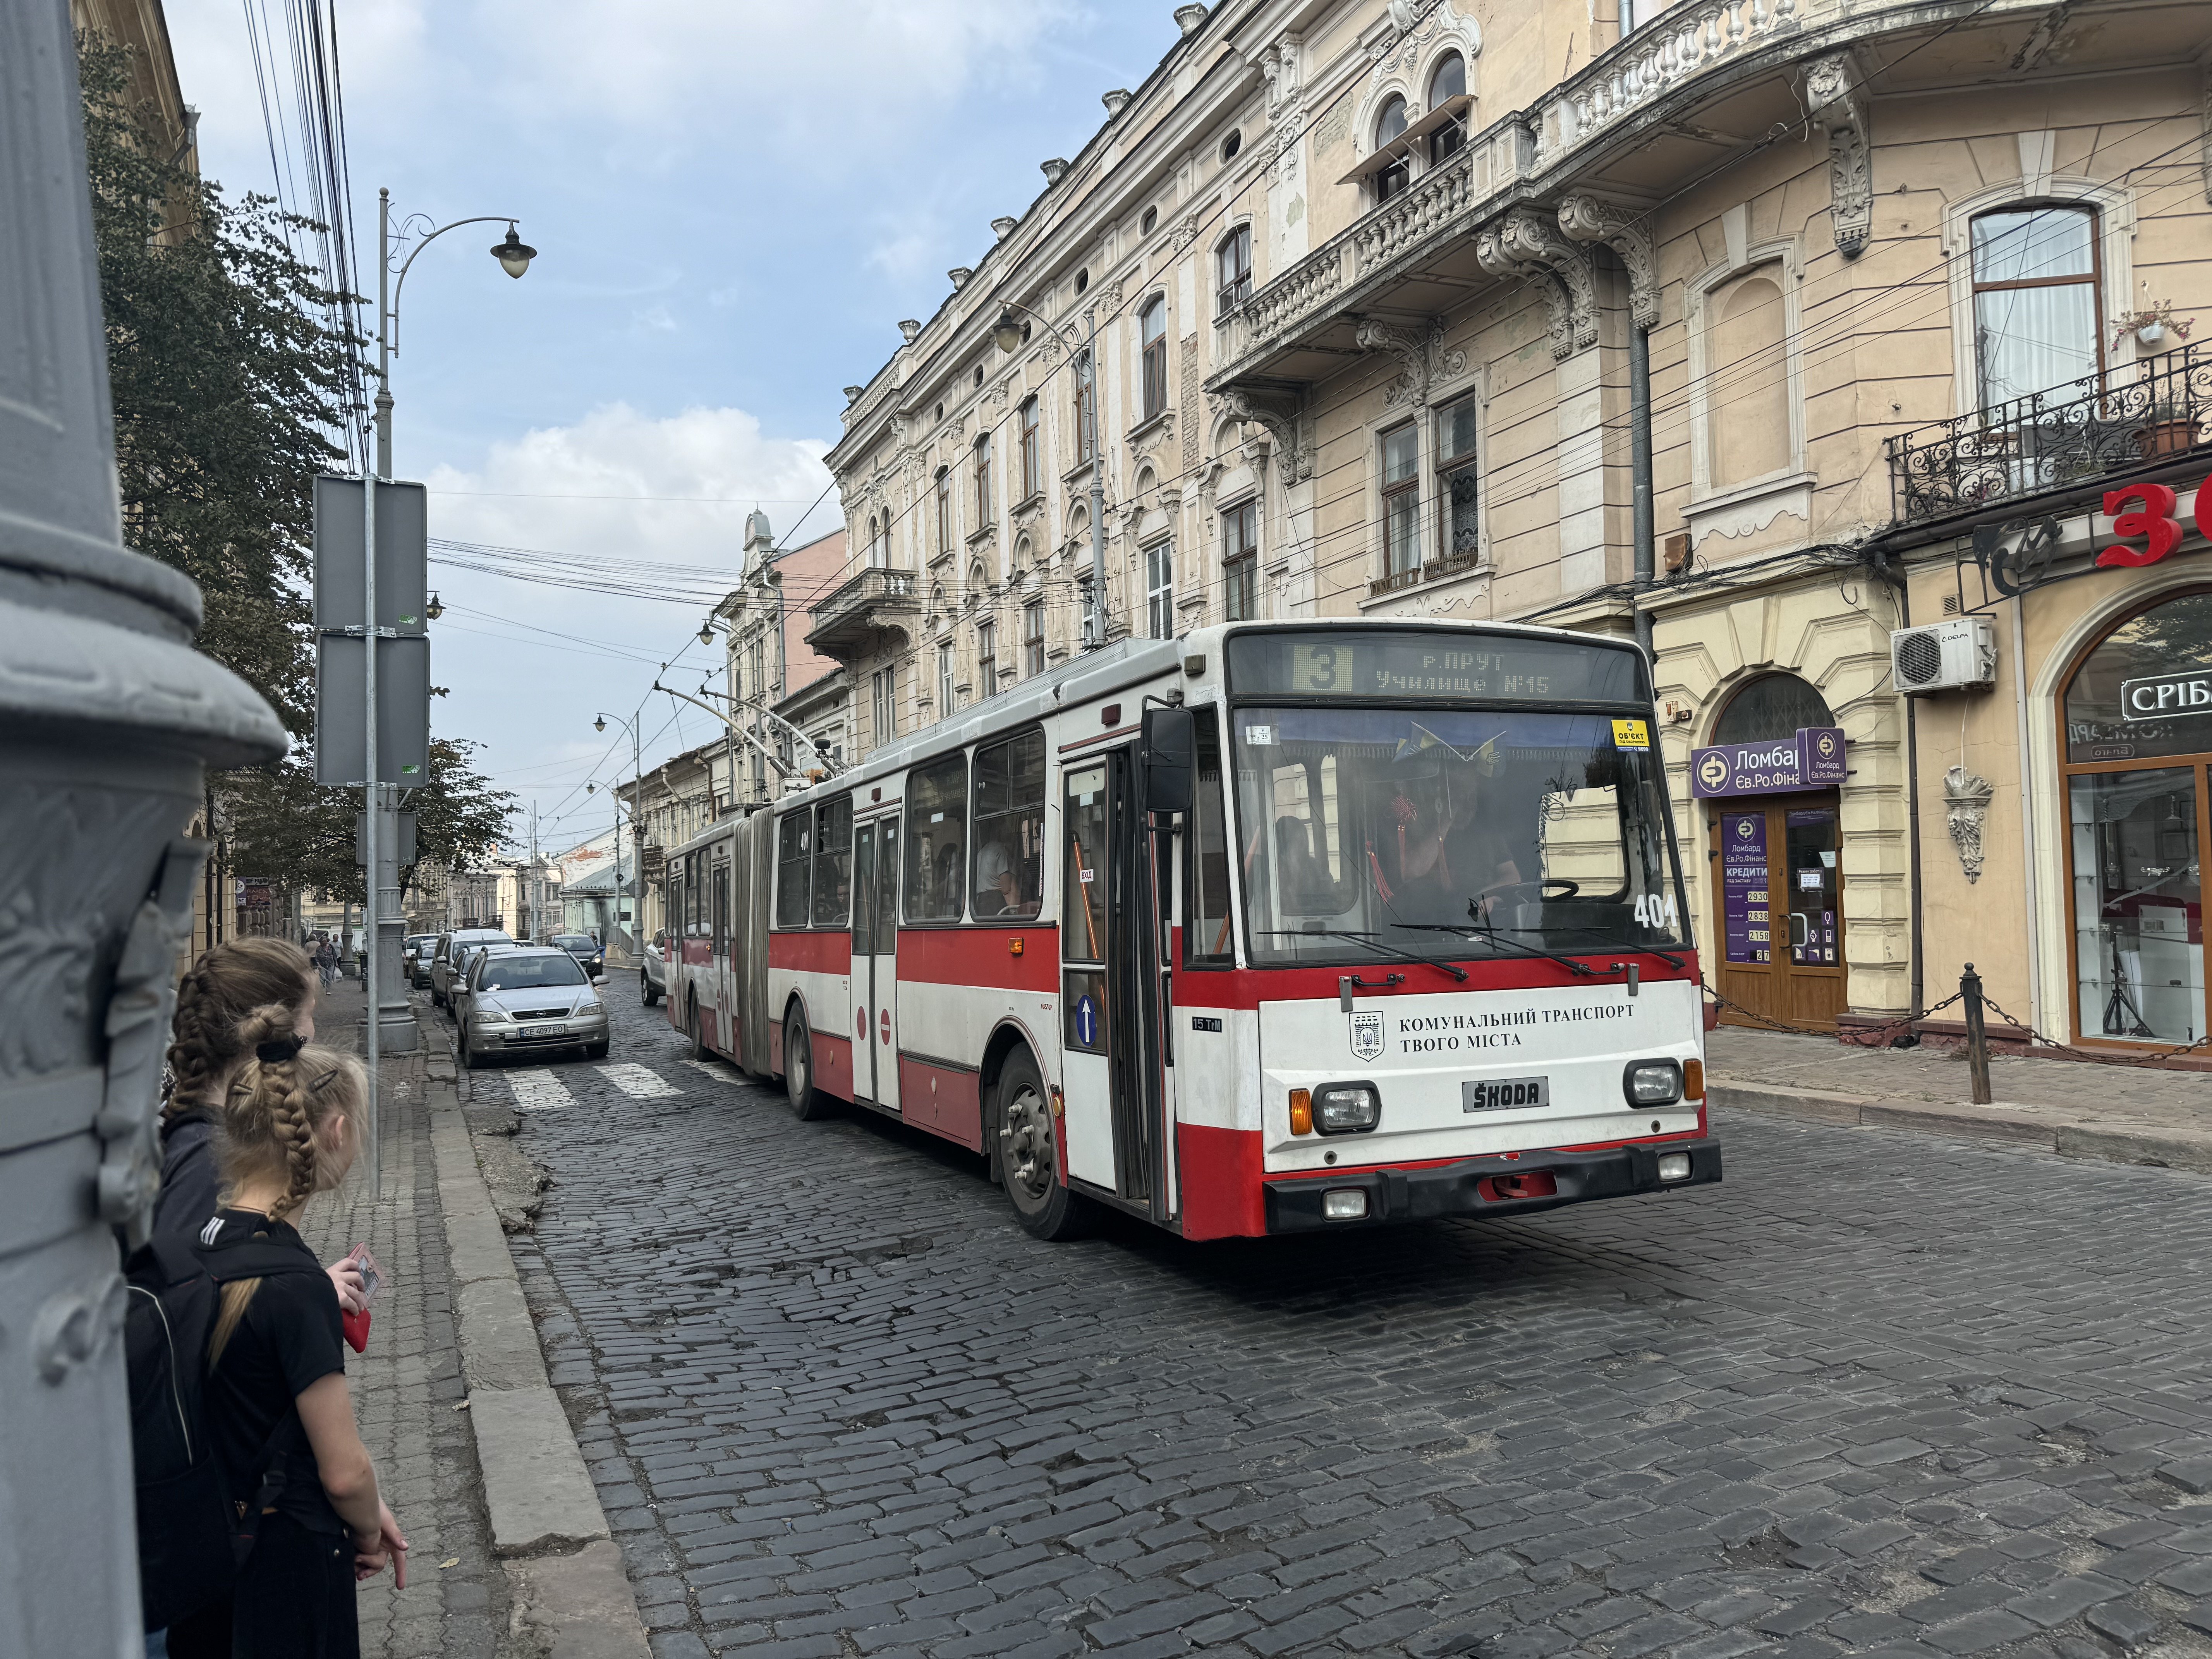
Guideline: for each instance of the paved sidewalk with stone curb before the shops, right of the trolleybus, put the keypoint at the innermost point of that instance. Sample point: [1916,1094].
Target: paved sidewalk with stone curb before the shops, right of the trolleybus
[2114,1114]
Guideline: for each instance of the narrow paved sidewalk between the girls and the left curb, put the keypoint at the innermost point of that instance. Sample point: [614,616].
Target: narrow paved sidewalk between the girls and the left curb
[408,1384]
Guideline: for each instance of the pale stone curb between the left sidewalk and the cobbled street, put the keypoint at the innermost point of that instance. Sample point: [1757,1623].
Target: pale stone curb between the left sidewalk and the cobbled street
[572,1596]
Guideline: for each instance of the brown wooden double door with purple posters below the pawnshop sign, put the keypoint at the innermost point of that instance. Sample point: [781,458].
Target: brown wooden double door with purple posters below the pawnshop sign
[1777,886]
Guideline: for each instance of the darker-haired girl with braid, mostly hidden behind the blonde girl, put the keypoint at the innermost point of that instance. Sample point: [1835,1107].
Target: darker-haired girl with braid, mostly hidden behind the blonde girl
[236,999]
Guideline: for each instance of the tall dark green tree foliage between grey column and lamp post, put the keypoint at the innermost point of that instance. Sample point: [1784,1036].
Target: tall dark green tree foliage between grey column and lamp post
[227,388]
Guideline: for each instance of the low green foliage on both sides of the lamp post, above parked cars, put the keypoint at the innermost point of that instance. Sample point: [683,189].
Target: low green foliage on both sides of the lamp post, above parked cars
[300,833]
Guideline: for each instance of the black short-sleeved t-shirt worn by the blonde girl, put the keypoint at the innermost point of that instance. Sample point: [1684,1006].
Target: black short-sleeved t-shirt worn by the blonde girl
[289,1339]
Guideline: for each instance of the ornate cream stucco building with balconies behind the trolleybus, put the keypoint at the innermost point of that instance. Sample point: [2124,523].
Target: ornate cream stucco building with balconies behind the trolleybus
[1764,328]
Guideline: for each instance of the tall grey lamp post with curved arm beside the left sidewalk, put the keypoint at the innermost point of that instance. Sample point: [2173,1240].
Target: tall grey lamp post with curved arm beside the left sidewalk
[388,1003]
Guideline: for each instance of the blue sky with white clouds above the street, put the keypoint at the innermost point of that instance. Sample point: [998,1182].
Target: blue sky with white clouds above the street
[733,202]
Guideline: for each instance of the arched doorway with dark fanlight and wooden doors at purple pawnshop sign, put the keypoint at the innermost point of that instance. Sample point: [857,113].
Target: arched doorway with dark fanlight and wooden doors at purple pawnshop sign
[1777,870]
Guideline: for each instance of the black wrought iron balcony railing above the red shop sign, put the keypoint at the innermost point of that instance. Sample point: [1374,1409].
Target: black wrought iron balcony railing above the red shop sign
[2072,435]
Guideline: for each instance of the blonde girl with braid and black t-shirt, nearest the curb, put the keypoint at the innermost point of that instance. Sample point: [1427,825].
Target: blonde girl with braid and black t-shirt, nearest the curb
[278,1406]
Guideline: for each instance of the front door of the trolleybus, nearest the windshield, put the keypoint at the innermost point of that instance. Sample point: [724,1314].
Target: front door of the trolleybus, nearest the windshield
[1109,985]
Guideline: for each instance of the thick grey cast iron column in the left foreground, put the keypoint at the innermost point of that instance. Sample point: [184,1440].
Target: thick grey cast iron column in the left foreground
[107,718]
